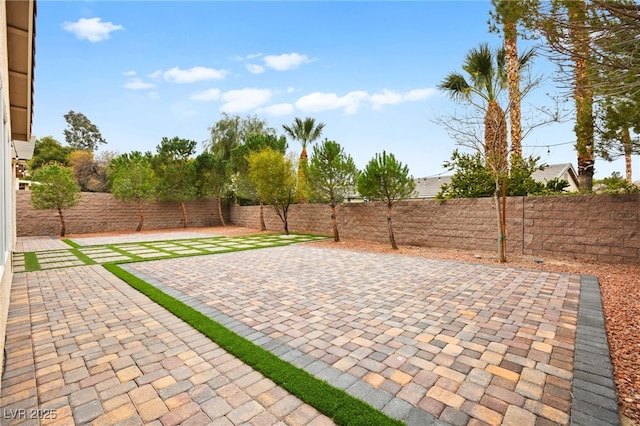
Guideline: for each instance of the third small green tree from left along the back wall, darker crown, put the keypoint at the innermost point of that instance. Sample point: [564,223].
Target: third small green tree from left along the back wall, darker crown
[176,172]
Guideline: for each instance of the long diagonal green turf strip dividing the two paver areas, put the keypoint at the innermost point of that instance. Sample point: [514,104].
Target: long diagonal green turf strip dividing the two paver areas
[343,408]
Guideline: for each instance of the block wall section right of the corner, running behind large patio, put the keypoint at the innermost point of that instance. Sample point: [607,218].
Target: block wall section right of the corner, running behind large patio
[603,228]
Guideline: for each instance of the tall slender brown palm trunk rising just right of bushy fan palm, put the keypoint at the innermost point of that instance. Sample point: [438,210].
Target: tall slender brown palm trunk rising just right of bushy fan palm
[513,80]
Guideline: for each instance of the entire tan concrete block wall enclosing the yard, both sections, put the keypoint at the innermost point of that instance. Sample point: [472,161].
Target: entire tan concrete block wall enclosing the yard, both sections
[602,228]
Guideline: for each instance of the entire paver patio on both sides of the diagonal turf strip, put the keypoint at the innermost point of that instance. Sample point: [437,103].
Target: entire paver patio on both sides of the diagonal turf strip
[427,341]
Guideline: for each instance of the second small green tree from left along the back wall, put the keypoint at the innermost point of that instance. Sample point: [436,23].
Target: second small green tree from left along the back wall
[130,178]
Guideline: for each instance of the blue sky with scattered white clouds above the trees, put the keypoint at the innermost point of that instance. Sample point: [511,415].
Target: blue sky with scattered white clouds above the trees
[369,71]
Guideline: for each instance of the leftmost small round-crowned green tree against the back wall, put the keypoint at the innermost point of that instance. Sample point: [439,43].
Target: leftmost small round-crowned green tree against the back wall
[55,188]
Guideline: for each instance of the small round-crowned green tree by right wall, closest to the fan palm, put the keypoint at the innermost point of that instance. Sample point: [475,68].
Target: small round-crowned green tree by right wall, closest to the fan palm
[386,179]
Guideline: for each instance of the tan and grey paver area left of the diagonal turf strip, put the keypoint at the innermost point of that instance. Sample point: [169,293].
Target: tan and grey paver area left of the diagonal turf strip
[80,350]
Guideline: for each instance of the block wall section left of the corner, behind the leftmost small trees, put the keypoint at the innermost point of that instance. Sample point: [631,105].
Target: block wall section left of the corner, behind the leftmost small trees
[100,212]
